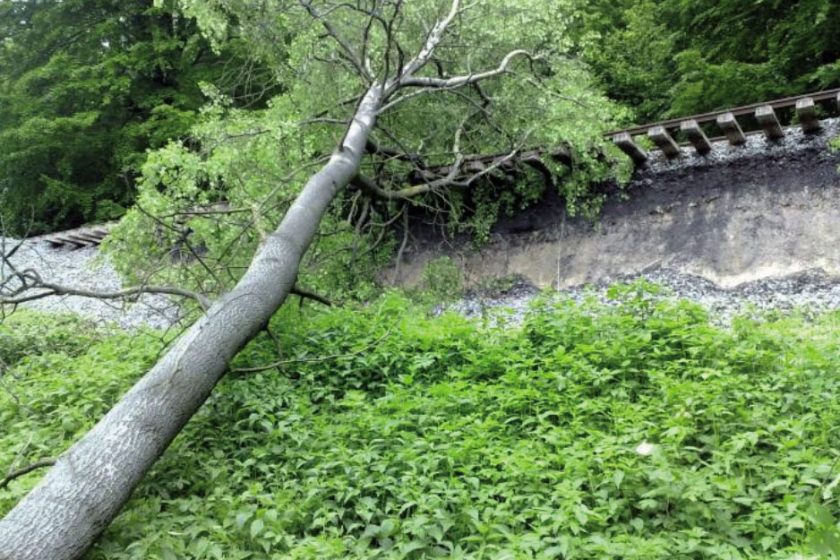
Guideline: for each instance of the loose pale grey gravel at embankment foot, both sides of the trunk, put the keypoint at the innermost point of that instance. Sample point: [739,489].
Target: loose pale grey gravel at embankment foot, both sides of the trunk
[811,292]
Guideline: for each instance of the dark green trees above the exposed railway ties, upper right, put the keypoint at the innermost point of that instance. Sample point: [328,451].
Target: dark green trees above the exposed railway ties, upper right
[679,57]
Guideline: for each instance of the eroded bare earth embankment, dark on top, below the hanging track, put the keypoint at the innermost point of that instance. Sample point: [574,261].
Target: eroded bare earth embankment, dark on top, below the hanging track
[745,216]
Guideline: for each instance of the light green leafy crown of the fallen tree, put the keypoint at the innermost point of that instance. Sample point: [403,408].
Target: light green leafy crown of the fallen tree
[546,101]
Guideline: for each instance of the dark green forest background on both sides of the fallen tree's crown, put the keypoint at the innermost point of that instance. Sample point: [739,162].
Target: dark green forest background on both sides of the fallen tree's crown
[88,87]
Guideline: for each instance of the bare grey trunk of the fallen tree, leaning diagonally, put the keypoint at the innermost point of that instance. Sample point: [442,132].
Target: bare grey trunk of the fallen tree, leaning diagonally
[89,483]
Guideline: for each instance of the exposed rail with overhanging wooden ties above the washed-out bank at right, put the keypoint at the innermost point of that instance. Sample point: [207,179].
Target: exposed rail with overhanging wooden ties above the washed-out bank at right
[756,119]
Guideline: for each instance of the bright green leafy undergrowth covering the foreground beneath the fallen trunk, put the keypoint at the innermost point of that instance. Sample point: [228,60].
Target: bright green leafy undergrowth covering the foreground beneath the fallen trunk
[638,430]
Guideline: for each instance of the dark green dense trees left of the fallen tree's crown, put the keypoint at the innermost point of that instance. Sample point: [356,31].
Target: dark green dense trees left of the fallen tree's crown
[86,87]
